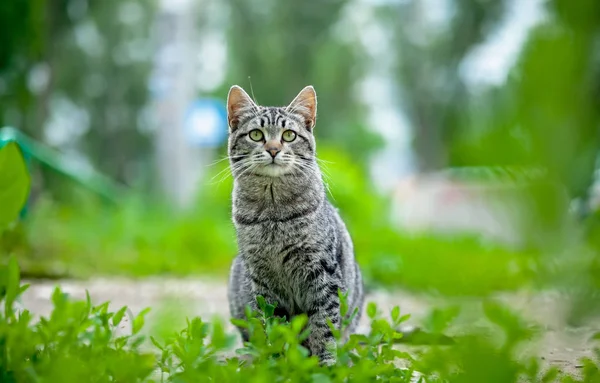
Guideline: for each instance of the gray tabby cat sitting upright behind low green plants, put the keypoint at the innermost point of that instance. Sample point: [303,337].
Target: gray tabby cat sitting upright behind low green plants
[294,248]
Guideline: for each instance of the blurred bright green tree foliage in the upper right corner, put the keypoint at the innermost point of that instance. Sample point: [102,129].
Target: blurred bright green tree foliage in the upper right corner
[547,115]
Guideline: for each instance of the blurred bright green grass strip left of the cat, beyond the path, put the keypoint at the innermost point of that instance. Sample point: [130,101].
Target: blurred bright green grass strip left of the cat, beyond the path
[92,238]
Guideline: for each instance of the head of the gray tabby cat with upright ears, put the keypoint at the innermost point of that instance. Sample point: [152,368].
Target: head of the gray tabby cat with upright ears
[271,141]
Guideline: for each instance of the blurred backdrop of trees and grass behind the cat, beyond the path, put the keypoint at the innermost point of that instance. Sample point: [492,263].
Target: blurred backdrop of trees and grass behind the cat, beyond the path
[460,138]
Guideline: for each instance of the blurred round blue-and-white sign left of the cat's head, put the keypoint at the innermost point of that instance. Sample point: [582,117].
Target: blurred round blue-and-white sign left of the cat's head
[205,123]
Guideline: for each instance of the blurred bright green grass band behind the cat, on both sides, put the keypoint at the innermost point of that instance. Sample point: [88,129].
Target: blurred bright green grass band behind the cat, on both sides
[141,238]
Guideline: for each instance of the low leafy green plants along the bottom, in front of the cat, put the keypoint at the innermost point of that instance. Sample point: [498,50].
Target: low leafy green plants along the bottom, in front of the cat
[77,343]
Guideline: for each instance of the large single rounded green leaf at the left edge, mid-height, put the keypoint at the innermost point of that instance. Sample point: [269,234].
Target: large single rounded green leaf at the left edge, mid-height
[14,184]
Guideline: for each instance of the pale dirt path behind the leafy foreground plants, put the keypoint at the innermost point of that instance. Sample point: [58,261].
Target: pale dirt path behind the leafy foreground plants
[174,299]
